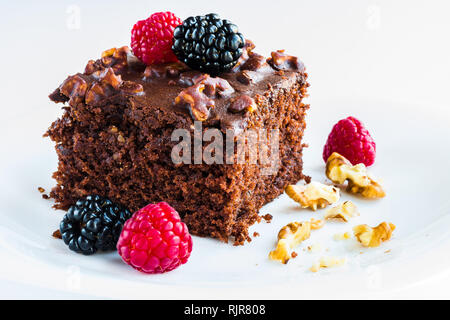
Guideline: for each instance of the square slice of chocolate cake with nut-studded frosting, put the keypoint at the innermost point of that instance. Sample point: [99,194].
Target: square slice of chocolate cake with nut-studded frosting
[115,137]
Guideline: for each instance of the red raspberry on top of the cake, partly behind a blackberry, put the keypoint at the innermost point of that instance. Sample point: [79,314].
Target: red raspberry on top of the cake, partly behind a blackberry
[151,39]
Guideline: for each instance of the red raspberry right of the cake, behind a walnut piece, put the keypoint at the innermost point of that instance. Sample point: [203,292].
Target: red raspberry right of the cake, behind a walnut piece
[349,138]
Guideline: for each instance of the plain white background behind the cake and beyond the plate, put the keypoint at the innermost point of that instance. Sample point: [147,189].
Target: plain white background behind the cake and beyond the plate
[396,51]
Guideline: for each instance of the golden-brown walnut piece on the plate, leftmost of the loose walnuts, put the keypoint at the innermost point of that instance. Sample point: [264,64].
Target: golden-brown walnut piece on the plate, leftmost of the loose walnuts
[289,237]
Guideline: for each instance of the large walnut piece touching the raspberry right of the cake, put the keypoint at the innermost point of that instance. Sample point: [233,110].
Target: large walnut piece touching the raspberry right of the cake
[339,170]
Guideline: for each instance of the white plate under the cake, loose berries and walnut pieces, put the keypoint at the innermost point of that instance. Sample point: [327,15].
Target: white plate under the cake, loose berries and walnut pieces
[412,160]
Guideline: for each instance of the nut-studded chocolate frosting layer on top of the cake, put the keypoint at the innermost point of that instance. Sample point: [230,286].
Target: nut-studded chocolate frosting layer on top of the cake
[226,100]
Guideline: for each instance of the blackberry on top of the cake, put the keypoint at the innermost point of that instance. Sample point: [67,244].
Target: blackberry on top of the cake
[208,43]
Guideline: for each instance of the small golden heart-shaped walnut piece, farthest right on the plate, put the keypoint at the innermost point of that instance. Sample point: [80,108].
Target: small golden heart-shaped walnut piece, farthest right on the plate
[373,237]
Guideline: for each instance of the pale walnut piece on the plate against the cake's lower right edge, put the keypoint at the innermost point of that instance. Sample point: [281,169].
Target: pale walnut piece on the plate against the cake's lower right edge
[314,195]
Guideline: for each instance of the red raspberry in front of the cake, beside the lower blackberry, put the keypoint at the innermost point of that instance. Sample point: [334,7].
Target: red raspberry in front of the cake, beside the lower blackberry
[154,240]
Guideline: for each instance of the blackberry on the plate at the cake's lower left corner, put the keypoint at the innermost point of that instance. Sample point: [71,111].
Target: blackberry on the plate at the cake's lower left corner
[93,223]
